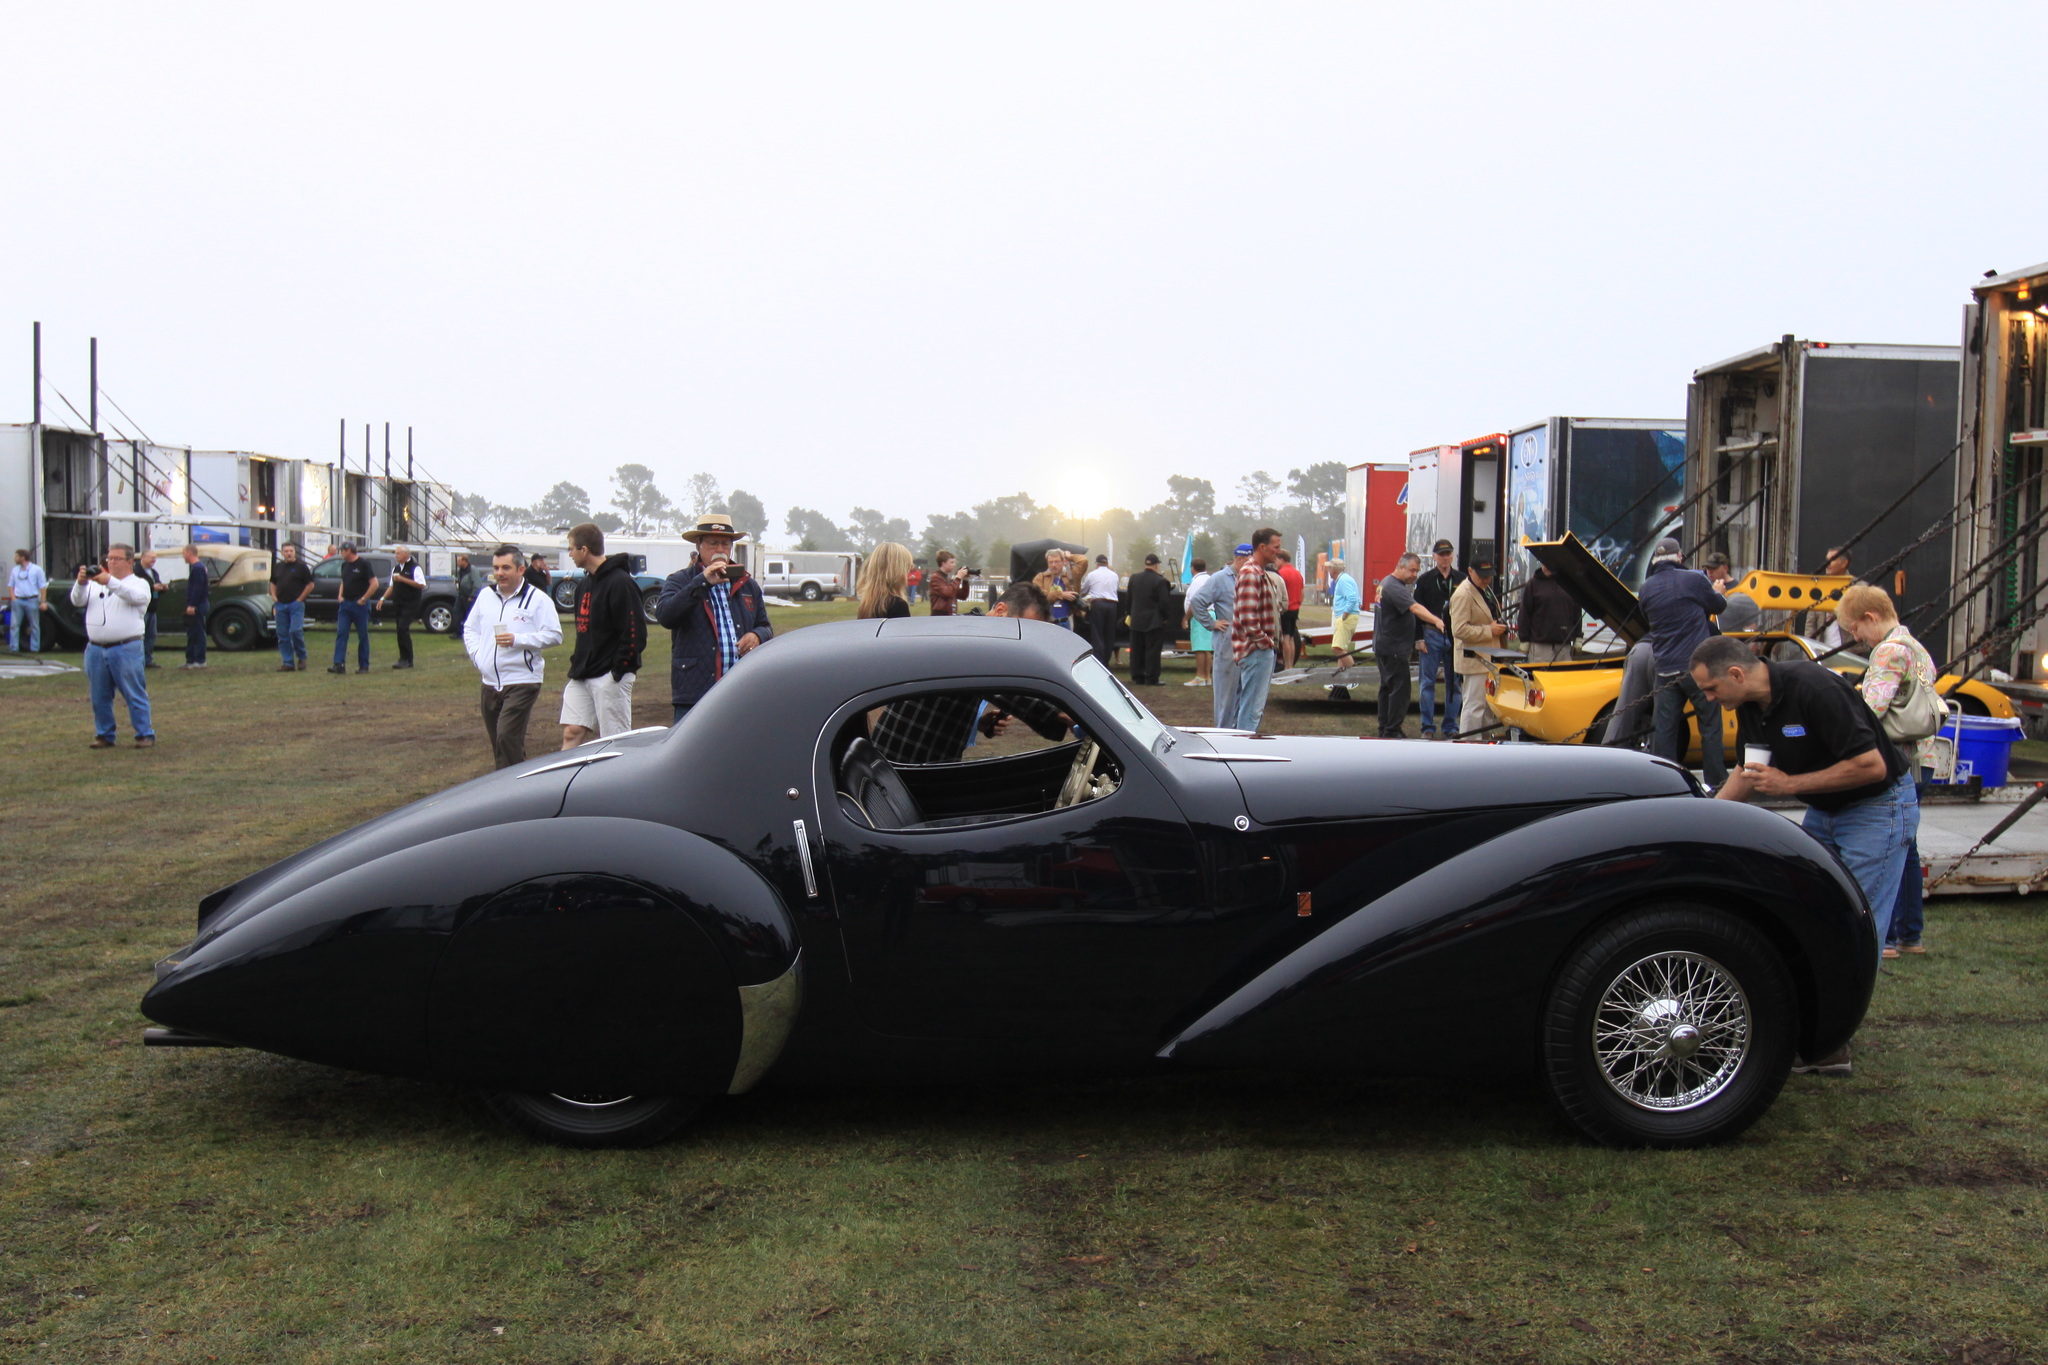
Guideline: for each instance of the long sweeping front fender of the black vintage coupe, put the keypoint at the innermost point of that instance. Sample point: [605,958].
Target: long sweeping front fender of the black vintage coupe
[1474,940]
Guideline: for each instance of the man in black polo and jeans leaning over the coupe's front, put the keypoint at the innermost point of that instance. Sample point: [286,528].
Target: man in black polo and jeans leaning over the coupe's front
[1807,734]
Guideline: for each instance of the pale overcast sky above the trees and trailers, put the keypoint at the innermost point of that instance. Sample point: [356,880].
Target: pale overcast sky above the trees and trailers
[916,257]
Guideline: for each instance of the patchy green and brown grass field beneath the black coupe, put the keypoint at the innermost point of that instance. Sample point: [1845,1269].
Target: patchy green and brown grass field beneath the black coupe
[230,1206]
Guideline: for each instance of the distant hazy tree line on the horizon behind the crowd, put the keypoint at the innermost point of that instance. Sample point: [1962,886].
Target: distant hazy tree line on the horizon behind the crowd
[1310,504]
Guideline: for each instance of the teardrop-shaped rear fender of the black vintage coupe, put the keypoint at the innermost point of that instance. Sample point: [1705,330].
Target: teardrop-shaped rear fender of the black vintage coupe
[538,930]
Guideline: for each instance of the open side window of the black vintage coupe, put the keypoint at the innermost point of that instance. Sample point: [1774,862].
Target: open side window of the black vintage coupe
[937,760]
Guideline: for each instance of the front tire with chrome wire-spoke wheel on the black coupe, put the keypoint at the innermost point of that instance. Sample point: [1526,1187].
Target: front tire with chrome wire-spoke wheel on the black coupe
[1668,1028]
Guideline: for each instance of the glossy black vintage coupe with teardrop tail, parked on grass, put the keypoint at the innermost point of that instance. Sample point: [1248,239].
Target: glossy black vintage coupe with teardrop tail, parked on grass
[605,940]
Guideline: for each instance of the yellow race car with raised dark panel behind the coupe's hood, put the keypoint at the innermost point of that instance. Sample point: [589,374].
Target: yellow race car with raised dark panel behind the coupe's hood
[1572,703]
